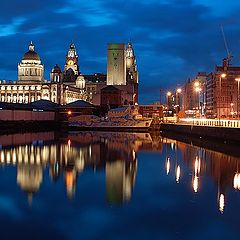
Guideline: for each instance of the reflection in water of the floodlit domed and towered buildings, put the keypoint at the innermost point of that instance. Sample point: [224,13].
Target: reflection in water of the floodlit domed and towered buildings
[115,153]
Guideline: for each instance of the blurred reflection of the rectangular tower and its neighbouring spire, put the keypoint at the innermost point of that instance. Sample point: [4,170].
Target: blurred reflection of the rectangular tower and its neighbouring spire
[120,180]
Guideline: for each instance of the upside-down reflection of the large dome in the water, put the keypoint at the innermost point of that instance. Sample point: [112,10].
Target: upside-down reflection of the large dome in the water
[29,178]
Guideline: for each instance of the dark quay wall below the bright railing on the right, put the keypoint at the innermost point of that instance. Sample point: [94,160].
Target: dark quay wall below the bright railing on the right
[221,133]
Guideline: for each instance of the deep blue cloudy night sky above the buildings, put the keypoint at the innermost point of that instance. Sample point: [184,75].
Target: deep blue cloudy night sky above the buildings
[173,39]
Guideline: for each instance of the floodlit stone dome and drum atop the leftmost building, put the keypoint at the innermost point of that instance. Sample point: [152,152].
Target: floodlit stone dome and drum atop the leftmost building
[30,69]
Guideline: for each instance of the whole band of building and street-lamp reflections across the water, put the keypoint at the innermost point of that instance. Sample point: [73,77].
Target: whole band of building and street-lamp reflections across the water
[67,157]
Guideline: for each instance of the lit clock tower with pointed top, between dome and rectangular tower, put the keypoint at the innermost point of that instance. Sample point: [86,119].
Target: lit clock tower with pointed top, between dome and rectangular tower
[71,68]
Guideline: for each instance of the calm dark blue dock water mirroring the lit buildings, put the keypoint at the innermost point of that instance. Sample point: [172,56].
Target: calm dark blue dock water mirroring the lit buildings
[115,186]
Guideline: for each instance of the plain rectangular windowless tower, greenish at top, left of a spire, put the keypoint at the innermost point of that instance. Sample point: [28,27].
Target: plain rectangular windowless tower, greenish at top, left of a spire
[116,64]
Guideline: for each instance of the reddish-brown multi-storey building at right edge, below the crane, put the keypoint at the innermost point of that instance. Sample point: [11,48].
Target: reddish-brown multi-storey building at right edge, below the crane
[222,91]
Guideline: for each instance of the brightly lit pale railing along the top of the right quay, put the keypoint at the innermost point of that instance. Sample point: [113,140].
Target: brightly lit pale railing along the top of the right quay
[210,122]
